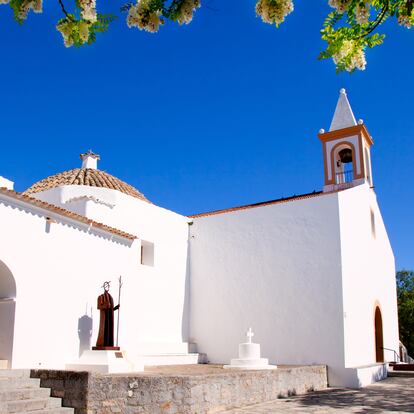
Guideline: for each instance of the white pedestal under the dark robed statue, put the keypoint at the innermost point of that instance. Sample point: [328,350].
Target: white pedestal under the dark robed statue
[104,362]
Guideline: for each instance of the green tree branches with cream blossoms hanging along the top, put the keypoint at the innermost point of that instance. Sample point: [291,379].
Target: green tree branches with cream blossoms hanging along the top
[349,29]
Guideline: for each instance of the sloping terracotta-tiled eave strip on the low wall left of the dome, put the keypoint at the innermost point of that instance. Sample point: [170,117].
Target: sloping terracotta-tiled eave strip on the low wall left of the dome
[65,213]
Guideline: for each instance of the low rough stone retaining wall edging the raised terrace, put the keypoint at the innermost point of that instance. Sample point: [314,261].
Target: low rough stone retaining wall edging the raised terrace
[185,394]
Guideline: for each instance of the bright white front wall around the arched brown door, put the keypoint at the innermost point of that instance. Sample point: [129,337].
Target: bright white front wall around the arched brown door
[368,277]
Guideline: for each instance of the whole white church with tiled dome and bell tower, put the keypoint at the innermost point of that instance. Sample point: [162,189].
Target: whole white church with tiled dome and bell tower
[314,275]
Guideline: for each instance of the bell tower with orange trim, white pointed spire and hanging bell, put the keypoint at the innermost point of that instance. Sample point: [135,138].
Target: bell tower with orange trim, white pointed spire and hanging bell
[346,149]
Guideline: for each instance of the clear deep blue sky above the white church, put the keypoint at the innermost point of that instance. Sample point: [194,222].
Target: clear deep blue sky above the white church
[219,113]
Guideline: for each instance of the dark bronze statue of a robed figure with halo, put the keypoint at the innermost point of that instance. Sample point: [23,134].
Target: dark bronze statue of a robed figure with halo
[106,324]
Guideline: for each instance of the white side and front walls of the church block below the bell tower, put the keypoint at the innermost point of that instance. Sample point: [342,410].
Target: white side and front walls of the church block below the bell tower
[306,274]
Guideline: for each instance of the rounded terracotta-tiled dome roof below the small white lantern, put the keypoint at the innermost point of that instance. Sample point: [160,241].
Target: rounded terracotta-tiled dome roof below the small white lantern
[85,176]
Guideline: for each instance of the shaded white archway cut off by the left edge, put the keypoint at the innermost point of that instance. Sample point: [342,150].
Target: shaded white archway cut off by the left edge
[7,313]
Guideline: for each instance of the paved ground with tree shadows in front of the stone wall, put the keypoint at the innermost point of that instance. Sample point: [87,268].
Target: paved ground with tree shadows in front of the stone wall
[394,395]
